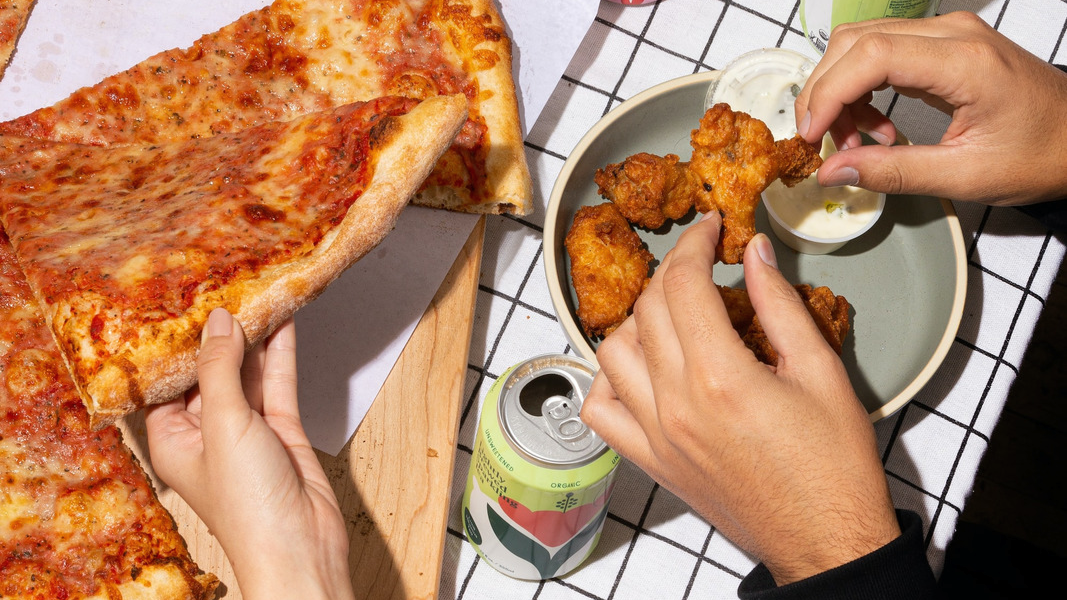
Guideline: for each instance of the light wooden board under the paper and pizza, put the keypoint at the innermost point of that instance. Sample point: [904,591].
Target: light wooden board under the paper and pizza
[393,479]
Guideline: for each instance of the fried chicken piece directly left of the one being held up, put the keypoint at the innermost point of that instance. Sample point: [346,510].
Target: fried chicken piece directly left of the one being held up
[649,190]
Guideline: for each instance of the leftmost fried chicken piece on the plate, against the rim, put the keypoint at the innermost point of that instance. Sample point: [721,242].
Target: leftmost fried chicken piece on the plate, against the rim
[610,267]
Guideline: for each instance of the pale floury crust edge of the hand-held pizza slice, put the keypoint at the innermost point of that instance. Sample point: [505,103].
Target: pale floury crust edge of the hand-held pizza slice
[166,366]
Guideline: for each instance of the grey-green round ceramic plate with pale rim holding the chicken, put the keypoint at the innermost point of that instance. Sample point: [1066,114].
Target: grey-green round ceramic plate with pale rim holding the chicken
[906,278]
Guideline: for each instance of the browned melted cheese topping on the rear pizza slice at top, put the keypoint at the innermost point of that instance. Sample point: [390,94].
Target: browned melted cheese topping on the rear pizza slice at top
[289,59]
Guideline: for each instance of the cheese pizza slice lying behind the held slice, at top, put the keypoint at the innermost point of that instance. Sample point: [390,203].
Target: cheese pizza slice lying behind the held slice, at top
[300,56]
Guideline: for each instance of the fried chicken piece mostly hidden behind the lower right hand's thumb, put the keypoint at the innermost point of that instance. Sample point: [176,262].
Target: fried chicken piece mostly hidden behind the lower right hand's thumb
[830,312]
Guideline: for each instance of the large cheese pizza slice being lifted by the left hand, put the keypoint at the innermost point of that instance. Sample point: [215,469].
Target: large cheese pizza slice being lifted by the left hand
[130,248]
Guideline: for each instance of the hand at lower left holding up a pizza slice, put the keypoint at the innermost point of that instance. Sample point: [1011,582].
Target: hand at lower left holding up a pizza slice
[237,453]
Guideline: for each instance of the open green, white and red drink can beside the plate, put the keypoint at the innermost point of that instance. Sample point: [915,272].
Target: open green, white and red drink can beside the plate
[540,480]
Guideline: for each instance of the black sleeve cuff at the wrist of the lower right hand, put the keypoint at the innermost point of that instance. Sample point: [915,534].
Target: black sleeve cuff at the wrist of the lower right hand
[896,571]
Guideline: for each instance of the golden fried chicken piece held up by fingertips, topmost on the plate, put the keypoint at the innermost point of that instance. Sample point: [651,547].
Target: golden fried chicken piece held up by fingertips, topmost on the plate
[734,154]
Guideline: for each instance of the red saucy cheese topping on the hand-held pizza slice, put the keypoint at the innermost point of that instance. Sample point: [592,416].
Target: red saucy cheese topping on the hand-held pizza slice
[221,218]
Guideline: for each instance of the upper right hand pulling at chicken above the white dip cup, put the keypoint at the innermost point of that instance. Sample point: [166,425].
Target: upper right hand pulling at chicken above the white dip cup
[1008,140]
